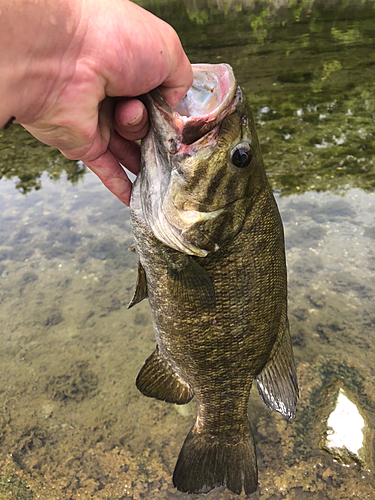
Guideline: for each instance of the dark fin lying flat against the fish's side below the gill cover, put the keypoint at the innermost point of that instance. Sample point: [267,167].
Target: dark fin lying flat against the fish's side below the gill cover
[191,282]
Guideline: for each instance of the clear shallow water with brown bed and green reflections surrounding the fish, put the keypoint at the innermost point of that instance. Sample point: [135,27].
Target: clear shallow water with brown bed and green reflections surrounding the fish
[73,425]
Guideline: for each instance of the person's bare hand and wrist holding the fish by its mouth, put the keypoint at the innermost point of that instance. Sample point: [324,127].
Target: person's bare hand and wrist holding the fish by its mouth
[70,71]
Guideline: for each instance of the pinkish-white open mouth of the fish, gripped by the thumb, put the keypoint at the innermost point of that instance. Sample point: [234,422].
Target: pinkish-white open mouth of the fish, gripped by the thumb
[221,102]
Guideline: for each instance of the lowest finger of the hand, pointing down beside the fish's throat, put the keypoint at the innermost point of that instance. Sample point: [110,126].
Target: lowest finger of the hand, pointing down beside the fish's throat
[112,175]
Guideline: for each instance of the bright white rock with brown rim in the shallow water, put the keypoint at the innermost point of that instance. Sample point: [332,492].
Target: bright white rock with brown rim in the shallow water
[347,435]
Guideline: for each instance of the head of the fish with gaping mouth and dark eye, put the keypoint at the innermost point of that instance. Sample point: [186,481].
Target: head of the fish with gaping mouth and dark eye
[199,163]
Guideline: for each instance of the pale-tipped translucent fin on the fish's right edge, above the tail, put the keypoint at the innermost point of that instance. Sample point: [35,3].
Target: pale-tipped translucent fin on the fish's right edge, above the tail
[277,383]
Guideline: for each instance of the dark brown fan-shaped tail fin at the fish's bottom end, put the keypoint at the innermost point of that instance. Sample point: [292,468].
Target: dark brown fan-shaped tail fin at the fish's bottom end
[206,461]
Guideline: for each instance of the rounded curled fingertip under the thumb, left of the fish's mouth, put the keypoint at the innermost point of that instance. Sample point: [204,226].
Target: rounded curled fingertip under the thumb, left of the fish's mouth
[131,120]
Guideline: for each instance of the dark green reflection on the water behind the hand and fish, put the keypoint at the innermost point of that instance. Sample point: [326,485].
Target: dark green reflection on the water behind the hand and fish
[312,95]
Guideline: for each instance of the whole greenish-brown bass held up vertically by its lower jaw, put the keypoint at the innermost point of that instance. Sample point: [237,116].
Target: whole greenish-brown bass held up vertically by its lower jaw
[210,243]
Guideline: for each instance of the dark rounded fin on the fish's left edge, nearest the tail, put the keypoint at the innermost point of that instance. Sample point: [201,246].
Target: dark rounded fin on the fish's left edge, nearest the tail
[158,380]
